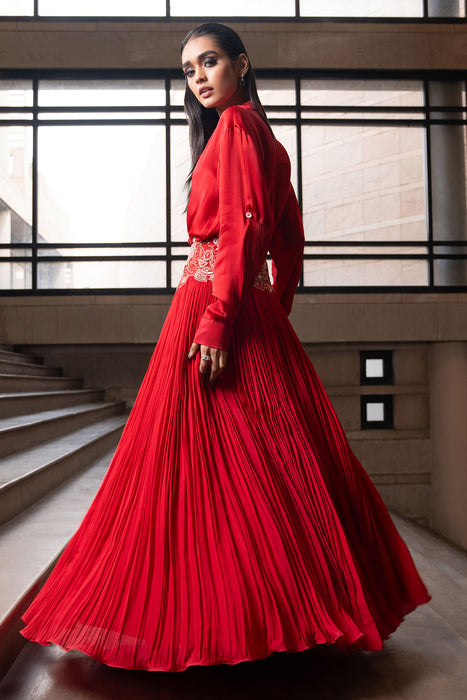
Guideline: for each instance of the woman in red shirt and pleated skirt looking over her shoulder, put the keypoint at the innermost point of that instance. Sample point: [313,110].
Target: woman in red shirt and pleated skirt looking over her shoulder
[234,520]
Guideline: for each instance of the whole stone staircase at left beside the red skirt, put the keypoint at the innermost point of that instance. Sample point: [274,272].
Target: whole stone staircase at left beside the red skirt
[56,442]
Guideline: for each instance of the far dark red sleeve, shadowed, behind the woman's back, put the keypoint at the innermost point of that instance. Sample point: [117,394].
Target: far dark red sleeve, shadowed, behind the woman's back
[287,252]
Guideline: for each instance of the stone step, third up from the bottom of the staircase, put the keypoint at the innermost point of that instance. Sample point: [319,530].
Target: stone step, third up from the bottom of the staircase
[20,432]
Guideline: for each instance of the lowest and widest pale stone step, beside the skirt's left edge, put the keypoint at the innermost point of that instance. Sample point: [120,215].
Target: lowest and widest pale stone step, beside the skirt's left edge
[31,543]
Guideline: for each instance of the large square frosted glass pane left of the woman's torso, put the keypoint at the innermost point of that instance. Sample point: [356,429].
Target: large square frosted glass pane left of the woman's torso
[101,184]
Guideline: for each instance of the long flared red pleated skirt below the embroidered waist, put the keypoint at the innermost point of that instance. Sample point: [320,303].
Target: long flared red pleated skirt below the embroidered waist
[234,521]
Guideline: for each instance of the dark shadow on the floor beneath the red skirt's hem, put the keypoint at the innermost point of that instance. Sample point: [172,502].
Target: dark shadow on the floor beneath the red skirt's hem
[323,673]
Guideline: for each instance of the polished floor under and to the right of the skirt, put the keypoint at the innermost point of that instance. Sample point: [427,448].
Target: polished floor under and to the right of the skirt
[426,659]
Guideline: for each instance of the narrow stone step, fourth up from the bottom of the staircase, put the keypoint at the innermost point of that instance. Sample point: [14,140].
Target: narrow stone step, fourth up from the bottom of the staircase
[15,404]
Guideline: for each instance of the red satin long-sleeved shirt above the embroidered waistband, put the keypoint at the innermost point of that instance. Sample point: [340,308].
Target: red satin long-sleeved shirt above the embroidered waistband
[242,194]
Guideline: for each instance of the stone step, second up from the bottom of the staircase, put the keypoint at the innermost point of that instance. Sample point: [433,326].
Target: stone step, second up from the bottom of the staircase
[29,475]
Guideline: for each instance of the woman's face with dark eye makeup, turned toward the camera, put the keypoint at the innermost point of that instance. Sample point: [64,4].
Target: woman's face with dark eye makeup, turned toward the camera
[211,75]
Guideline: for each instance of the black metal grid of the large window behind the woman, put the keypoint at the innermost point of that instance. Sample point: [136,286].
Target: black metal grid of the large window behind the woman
[299,115]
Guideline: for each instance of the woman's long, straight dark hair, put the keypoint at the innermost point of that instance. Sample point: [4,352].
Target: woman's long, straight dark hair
[203,121]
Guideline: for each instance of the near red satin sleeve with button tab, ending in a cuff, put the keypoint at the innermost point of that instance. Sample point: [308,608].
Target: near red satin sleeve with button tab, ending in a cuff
[245,229]
